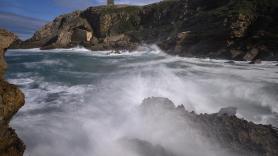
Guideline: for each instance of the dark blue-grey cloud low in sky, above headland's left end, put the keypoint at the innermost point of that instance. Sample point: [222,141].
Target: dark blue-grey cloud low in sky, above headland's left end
[23,26]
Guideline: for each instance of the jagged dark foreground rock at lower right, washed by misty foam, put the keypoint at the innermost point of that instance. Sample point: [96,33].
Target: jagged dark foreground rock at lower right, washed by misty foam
[223,131]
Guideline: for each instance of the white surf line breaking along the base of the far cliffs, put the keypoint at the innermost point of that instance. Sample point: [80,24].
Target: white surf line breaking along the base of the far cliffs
[141,50]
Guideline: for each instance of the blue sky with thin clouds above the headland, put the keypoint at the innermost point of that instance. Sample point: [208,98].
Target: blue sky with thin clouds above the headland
[24,17]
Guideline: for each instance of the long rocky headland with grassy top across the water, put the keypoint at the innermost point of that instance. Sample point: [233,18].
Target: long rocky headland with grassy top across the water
[222,29]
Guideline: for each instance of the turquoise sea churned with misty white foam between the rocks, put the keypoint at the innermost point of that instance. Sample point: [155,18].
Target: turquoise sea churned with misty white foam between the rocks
[79,102]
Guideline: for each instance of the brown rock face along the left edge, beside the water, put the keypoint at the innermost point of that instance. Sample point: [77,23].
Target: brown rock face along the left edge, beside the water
[11,100]
